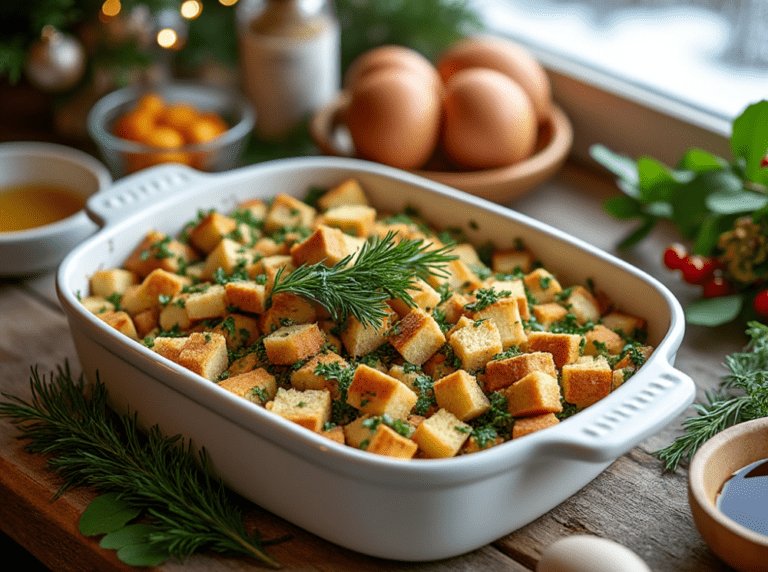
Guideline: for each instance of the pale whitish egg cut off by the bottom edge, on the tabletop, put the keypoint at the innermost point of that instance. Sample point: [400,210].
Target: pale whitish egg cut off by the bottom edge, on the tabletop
[582,553]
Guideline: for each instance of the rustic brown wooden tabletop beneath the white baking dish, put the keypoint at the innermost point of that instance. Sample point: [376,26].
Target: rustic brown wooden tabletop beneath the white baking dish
[632,502]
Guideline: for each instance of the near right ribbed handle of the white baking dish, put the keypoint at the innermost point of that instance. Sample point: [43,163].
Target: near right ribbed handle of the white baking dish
[644,410]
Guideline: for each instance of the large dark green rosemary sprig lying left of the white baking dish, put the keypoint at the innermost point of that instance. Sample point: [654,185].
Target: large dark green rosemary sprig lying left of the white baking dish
[185,509]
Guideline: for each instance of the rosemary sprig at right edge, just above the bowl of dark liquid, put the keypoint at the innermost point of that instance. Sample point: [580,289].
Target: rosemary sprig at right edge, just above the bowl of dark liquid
[749,377]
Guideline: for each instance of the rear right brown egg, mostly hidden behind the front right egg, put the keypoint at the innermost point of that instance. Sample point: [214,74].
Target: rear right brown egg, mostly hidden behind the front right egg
[506,57]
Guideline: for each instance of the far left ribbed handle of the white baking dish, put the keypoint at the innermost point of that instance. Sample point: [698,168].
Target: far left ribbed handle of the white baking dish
[136,192]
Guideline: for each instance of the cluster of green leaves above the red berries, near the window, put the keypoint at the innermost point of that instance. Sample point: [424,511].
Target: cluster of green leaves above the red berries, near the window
[703,194]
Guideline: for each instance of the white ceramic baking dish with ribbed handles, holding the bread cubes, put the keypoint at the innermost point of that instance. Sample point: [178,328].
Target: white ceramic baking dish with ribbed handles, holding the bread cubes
[405,510]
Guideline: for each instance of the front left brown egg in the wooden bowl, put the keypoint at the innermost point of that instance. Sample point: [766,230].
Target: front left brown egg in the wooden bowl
[394,118]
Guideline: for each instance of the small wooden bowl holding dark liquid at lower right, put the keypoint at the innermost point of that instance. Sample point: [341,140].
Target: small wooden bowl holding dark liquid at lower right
[712,465]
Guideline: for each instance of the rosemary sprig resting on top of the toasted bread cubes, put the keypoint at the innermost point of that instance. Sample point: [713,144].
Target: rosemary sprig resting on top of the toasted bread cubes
[384,269]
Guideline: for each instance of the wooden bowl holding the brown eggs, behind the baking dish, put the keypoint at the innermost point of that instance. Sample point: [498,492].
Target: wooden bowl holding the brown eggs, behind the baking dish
[499,185]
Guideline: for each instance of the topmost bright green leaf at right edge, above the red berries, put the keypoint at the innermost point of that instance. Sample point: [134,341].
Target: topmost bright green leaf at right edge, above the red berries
[749,140]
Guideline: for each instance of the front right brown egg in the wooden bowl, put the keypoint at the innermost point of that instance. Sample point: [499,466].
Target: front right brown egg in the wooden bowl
[488,120]
